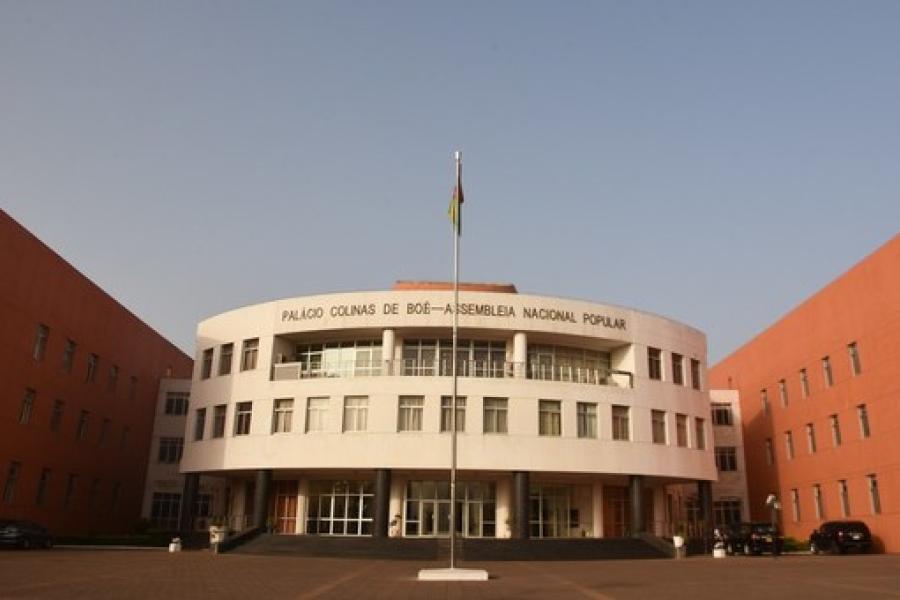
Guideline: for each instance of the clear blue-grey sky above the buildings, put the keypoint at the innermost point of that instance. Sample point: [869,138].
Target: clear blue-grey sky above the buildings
[714,162]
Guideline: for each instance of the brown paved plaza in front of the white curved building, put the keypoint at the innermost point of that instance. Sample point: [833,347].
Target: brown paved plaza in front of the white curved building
[135,574]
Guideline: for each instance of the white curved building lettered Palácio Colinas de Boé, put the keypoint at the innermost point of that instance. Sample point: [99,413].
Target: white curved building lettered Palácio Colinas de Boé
[330,414]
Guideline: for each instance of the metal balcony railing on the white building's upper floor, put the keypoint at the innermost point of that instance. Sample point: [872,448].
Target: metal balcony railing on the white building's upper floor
[467,368]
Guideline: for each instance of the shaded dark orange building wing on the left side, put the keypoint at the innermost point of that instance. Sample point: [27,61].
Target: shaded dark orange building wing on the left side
[78,382]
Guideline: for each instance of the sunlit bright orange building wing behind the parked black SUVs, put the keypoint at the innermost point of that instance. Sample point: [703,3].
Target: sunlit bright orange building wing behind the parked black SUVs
[820,400]
